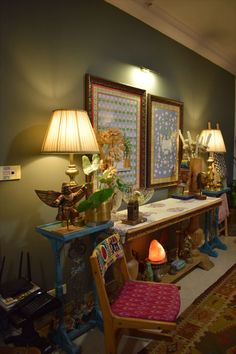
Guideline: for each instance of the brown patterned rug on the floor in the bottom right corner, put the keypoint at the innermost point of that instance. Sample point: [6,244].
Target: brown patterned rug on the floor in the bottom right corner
[208,326]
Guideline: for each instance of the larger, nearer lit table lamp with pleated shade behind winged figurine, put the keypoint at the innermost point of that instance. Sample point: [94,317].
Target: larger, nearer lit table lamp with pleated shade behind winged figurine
[70,132]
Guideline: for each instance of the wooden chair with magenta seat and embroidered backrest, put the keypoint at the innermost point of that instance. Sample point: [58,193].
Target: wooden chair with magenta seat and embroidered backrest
[140,307]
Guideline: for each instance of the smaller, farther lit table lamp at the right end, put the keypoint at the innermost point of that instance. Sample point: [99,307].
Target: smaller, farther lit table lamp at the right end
[215,144]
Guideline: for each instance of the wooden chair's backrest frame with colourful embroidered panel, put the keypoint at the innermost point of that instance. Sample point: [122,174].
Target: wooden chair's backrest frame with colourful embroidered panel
[105,254]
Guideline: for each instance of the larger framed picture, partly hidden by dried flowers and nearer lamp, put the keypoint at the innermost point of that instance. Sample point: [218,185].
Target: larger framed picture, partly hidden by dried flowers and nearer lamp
[114,105]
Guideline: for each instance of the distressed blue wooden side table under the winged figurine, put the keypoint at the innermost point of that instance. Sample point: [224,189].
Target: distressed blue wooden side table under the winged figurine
[58,236]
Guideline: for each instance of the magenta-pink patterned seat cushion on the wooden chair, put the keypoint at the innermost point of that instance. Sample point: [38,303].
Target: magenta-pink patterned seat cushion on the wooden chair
[148,301]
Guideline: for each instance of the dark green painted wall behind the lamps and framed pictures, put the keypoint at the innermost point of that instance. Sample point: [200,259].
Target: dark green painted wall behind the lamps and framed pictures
[47,46]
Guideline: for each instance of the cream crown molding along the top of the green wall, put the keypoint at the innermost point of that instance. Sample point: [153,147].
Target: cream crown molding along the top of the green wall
[160,20]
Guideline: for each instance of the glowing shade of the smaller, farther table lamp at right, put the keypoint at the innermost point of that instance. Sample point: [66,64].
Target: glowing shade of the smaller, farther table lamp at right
[215,143]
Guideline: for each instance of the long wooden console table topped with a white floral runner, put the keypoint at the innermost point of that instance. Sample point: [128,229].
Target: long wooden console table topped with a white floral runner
[163,214]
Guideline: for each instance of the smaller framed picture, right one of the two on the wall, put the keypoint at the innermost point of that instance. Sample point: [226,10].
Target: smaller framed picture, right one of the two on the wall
[165,118]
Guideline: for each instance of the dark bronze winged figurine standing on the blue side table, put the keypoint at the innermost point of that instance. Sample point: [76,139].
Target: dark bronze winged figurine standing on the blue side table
[65,201]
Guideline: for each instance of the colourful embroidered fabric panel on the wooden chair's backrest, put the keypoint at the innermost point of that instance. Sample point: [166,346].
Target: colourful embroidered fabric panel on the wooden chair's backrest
[108,251]
